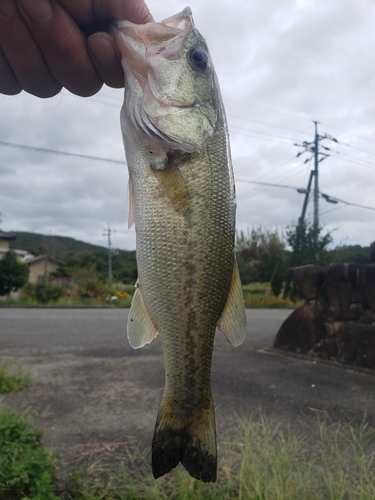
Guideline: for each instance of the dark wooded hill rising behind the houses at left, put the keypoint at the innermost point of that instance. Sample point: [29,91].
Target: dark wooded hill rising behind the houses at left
[59,247]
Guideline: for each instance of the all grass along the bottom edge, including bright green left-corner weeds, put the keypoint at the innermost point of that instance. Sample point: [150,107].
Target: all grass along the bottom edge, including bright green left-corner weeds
[259,460]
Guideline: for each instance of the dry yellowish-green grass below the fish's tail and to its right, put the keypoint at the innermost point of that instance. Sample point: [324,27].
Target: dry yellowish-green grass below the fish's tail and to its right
[259,461]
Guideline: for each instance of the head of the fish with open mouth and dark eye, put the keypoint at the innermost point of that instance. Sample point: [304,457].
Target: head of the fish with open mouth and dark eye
[169,81]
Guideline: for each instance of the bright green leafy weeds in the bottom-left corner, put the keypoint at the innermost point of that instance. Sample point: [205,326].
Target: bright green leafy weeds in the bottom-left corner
[26,469]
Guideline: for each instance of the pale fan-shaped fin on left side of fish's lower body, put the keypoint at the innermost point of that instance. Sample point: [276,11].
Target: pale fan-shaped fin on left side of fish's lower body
[141,329]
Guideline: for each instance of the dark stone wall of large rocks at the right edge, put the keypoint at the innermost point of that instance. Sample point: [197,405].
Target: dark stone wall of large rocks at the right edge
[337,319]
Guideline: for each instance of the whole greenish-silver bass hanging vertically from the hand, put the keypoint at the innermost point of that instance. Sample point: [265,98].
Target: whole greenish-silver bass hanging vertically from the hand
[182,201]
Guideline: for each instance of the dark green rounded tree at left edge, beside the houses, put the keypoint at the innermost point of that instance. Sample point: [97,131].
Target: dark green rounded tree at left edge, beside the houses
[13,273]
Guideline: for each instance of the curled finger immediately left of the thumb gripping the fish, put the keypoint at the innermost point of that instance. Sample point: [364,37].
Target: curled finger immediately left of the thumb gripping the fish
[63,46]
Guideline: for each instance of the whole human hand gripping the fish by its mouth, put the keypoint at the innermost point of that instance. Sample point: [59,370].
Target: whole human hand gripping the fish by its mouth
[43,45]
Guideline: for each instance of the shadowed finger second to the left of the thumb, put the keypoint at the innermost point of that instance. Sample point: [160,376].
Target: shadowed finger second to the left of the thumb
[23,55]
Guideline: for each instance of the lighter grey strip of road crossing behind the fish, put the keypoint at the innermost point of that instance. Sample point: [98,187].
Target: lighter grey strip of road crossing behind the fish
[57,329]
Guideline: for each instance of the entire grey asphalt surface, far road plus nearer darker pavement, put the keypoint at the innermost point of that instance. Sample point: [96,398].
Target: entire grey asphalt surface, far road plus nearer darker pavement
[95,395]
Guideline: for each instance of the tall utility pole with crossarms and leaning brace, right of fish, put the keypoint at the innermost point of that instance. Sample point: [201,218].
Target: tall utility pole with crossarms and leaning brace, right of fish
[314,147]
